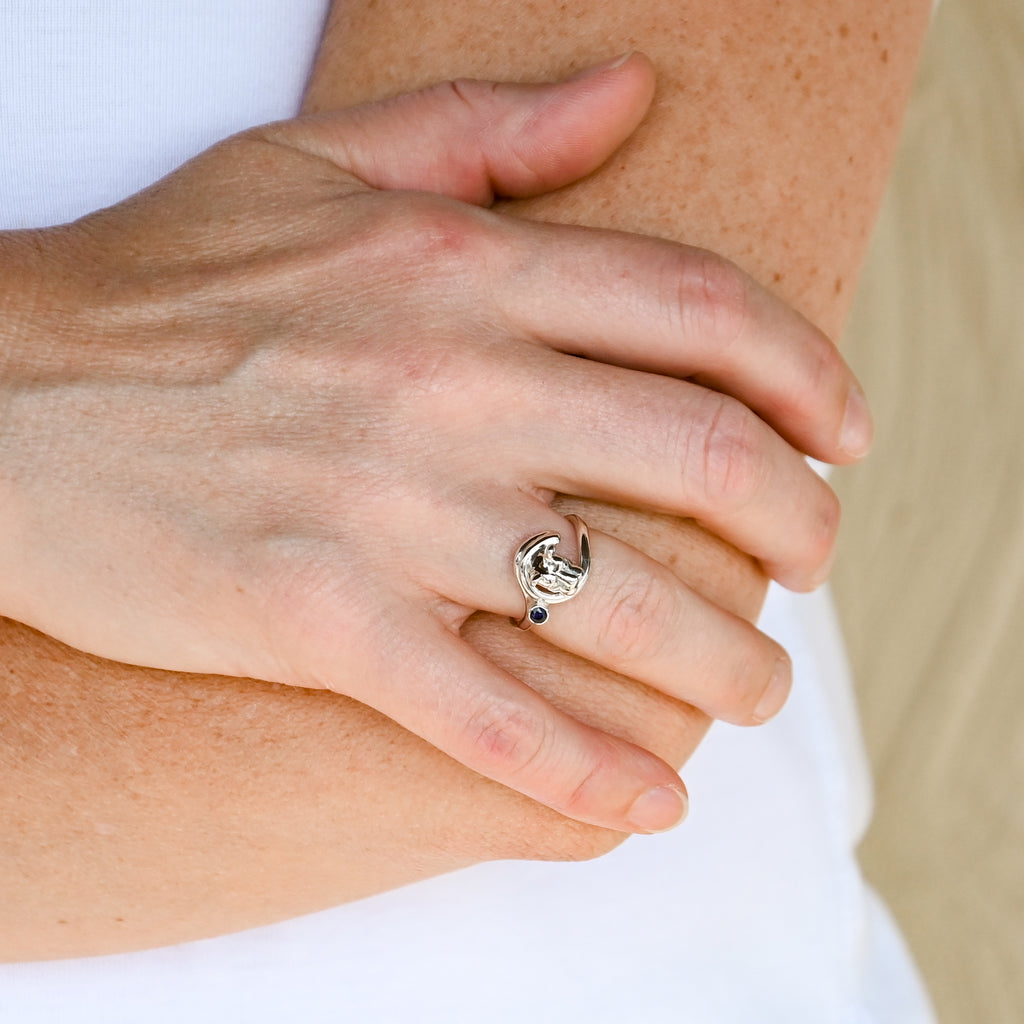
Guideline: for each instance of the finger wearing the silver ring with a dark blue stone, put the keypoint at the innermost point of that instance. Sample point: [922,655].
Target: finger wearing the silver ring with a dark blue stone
[637,618]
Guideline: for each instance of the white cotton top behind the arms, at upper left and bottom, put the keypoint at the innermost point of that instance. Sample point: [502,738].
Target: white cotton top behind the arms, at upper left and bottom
[753,913]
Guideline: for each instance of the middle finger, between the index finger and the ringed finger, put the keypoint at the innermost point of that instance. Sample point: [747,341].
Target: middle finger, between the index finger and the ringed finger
[598,432]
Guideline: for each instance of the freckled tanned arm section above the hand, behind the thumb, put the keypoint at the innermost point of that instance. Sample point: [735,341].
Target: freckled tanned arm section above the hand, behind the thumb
[770,141]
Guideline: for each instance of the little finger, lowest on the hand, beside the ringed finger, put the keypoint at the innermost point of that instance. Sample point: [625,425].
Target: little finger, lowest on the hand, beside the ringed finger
[490,721]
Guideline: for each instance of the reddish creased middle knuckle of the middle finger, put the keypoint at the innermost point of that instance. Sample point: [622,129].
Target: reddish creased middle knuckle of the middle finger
[724,454]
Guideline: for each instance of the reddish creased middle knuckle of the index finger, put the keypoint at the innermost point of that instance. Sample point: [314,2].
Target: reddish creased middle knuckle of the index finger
[713,298]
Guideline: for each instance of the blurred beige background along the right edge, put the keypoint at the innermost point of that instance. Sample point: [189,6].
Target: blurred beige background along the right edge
[931,577]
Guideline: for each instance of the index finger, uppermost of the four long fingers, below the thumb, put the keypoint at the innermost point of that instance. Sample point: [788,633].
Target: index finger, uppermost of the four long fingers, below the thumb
[658,307]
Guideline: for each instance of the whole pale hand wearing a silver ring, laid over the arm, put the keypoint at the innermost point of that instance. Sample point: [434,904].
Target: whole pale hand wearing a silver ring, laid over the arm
[266,419]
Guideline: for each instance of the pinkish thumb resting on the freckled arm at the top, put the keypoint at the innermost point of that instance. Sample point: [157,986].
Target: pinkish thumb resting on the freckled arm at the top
[473,141]
